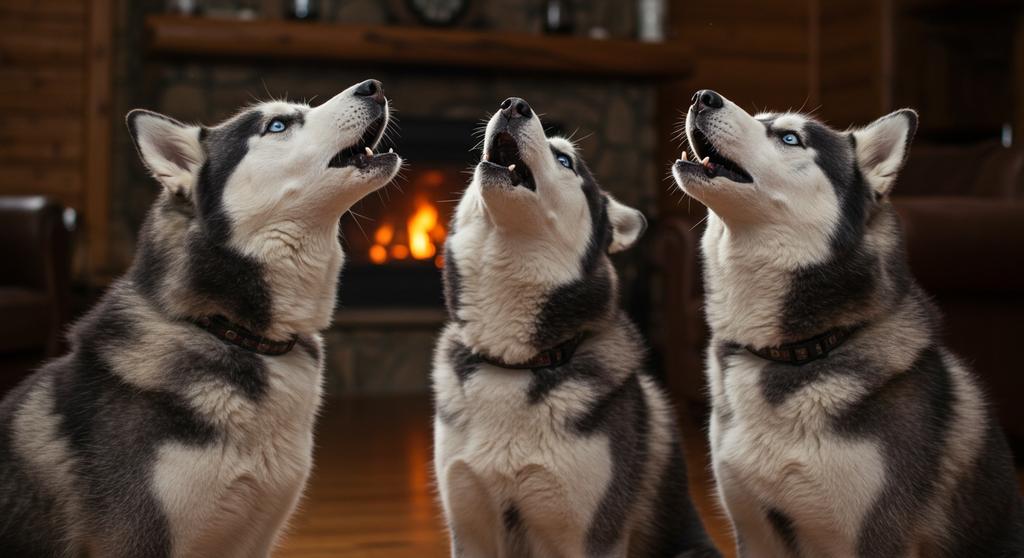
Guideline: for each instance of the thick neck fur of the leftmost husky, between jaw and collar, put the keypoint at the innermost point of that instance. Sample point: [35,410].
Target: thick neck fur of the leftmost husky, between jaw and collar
[278,283]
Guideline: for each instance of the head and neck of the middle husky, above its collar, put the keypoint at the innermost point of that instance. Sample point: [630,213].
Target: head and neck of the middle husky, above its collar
[527,265]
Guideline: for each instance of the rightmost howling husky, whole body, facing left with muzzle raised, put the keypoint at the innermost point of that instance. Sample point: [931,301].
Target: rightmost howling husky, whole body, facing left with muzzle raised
[841,425]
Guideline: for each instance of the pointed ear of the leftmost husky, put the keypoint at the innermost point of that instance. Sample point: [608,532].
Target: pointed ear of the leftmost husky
[169,149]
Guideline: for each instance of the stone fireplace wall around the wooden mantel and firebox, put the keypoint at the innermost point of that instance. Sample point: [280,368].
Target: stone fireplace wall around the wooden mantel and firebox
[611,121]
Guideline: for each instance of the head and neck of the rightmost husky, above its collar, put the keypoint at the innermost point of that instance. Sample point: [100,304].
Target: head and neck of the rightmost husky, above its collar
[801,236]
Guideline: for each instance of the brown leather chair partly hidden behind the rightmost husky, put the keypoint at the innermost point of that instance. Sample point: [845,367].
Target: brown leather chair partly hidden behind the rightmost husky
[963,214]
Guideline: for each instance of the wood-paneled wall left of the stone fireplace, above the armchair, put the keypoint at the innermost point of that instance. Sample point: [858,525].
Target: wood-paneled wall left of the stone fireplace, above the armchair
[55,98]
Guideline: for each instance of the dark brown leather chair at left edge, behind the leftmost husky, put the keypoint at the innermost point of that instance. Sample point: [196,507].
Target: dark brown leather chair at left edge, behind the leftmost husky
[35,279]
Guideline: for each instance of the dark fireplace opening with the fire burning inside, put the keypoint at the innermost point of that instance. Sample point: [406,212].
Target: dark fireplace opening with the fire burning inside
[395,246]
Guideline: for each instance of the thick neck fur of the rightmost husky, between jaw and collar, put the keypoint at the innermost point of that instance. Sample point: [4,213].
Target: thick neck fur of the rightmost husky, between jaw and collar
[766,288]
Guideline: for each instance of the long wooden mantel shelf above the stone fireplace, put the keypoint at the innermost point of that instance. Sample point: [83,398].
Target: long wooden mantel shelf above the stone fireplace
[432,48]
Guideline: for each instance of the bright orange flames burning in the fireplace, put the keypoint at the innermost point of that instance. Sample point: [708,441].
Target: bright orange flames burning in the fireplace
[423,234]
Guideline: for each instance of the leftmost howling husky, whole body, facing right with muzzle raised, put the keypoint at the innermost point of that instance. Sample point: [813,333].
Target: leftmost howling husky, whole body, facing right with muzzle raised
[181,423]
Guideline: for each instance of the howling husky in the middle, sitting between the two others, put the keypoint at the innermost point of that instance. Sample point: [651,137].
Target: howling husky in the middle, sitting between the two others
[550,439]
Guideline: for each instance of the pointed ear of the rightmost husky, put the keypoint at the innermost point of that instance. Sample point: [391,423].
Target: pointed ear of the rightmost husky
[883,148]
